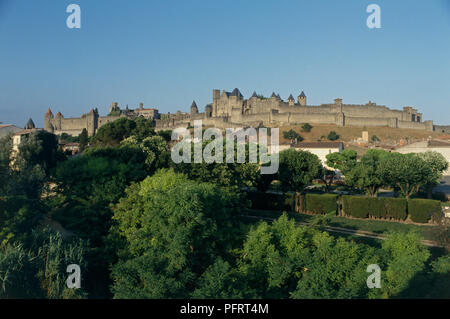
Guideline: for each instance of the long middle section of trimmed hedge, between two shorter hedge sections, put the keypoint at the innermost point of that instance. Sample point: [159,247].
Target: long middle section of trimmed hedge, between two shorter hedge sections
[383,208]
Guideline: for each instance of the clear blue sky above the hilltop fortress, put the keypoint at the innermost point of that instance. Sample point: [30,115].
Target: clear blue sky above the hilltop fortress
[168,53]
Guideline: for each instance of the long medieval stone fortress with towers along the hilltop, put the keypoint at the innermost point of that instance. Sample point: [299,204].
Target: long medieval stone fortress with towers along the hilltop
[230,109]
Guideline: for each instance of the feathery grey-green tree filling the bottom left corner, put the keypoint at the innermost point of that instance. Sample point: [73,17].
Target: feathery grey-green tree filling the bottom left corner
[38,269]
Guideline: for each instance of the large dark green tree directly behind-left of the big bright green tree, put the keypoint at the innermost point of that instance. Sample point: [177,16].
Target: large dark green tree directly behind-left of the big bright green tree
[88,184]
